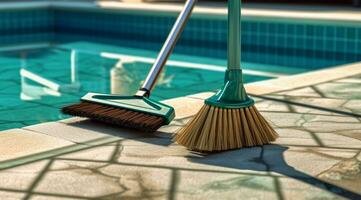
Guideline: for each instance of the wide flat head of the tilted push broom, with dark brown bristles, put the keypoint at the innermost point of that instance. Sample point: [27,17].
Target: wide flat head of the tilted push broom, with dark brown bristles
[134,112]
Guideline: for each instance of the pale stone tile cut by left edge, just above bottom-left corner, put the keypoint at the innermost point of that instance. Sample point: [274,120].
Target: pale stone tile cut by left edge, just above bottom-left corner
[21,177]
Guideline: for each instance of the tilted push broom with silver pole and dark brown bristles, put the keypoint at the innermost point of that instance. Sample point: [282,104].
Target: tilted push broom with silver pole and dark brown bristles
[139,111]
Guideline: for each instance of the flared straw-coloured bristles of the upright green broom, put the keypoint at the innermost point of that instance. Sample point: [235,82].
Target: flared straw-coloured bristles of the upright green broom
[218,129]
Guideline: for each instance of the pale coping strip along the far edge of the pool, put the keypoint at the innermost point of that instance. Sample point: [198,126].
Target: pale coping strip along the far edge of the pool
[218,10]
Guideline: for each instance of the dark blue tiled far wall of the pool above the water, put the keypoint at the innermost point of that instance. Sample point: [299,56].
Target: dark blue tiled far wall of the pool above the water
[263,41]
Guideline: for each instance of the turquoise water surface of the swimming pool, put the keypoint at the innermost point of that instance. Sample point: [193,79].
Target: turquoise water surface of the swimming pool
[36,83]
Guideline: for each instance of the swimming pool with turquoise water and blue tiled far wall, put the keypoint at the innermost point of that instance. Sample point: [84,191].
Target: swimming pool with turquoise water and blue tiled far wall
[51,56]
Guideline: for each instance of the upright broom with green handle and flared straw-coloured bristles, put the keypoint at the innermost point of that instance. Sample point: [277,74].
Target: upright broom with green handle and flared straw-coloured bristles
[229,119]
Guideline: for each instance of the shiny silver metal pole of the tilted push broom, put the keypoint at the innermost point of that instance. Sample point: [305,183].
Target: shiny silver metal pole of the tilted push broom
[167,49]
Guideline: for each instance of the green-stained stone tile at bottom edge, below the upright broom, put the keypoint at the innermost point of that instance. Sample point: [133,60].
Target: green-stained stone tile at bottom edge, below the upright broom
[224,186]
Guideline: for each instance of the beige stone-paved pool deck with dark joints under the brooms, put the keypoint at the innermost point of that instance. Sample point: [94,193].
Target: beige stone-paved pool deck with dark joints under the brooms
[318,154]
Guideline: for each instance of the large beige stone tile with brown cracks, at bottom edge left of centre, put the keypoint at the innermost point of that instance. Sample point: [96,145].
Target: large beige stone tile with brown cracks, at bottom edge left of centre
[113,181]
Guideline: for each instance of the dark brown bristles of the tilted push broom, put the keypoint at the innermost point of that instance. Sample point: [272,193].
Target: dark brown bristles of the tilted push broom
[116,116]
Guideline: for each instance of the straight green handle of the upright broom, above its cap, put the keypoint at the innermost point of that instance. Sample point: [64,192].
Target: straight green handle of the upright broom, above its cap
[234,34]
